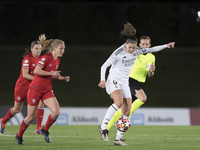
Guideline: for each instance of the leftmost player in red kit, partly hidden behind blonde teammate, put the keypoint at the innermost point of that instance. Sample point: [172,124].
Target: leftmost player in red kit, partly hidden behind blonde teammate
[31,57]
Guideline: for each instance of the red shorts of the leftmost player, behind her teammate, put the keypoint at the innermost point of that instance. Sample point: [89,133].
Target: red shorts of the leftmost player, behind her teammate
[20,94]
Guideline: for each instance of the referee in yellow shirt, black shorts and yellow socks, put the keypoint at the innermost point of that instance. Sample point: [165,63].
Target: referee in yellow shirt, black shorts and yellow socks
[144,65]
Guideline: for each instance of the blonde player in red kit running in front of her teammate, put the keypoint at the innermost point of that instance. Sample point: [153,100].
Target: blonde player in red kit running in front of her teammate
[41,86]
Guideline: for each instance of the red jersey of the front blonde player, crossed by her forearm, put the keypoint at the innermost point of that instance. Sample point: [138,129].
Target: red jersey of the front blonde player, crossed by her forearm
[44,83]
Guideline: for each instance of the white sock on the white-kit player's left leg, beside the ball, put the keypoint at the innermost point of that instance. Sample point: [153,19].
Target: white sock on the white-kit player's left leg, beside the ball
[108,116]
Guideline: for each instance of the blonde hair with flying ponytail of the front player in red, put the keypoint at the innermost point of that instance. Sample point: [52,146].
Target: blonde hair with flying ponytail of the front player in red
[49,44]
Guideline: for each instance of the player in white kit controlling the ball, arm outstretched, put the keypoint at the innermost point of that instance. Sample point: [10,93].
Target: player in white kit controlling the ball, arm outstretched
[117,83]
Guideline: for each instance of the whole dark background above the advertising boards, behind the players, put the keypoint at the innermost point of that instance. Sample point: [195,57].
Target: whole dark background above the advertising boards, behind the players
[91,30]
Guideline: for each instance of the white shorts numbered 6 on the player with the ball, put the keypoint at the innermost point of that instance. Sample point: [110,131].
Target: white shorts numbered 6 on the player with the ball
[113,85]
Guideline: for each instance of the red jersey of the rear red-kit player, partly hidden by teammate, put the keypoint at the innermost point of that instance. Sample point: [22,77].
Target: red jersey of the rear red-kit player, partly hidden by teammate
[29,62]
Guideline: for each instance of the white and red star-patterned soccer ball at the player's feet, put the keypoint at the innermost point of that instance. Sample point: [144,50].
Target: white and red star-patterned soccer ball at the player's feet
[123,124]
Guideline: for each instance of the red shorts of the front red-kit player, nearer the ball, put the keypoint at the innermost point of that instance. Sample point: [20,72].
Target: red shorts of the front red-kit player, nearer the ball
[34,97]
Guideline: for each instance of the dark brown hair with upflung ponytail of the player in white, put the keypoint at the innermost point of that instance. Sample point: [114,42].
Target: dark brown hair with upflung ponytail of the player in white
[130,32]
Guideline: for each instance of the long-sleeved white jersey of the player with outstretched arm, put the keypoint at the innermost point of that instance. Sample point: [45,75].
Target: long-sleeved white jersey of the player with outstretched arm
[122,62]
